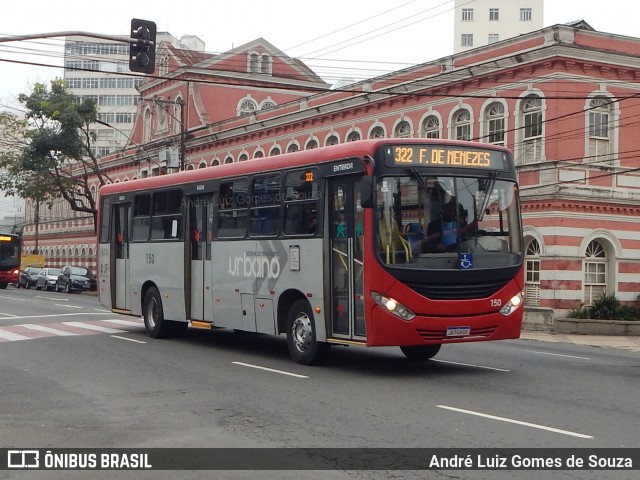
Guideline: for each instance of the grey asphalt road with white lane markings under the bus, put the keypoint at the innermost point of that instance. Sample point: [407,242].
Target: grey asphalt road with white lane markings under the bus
[103,383]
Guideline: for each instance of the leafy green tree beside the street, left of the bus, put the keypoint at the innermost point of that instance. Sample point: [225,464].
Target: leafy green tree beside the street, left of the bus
[53,157]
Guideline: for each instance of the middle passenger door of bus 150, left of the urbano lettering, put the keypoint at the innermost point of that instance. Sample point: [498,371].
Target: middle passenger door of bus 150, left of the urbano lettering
[200,223]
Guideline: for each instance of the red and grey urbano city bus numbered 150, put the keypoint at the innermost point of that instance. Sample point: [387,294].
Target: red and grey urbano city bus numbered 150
[406,242]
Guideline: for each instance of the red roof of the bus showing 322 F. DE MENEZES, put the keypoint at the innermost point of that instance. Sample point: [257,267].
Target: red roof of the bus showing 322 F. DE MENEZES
[283,161]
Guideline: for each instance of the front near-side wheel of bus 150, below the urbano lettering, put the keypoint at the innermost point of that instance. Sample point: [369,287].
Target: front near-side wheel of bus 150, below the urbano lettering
[301,335]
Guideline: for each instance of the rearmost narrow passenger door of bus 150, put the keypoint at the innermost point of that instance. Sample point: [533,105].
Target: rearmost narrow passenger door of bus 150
[120,239]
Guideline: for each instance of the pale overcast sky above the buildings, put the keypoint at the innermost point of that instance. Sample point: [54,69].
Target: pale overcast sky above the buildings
[337,39]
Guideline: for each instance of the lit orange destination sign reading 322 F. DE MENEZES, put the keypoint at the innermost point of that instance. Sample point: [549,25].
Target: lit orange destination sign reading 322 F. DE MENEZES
[444,156]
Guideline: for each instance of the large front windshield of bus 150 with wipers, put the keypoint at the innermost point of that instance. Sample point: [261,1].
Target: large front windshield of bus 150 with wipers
[428,221]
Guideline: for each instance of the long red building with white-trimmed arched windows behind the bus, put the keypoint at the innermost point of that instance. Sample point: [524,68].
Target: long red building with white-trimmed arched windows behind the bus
[565,99]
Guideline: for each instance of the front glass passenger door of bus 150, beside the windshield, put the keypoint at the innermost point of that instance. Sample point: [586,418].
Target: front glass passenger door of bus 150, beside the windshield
[346,257]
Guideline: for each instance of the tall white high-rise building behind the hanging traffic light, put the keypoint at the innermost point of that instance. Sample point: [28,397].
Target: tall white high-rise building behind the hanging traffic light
[99,69]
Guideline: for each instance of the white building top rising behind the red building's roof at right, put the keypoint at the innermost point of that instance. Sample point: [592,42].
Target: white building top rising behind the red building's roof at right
[482,22]
